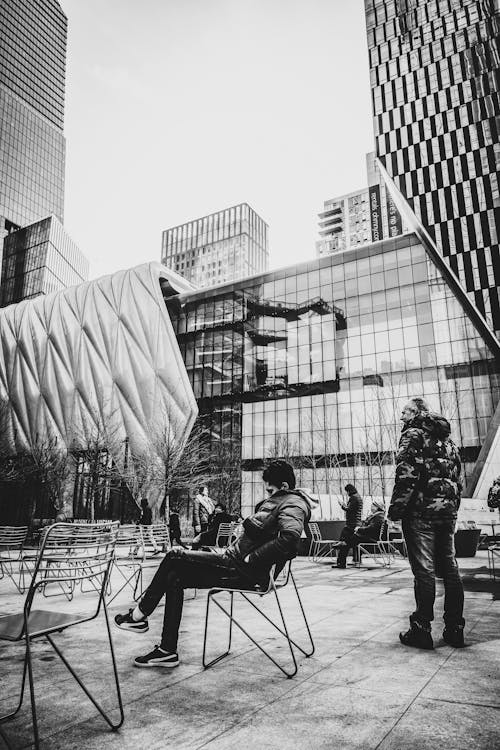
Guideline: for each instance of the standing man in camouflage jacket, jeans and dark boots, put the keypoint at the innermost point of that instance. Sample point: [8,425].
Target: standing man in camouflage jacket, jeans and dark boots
[426,496]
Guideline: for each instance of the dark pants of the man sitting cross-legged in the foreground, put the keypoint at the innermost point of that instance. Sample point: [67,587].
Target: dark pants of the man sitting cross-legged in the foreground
[181,570]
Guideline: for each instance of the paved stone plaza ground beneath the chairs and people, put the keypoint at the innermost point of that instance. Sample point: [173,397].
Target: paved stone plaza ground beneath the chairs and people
[361,689]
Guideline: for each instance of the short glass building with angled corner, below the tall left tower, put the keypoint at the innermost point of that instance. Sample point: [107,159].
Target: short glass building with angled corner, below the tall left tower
[40,259]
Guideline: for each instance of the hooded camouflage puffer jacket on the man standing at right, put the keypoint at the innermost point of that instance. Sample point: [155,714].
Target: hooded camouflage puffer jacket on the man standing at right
[427,483]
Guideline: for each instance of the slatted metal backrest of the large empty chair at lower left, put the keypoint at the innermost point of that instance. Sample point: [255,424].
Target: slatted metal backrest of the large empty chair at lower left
[73,553]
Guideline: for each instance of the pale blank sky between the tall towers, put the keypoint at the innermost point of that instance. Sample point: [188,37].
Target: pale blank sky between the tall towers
[179,108]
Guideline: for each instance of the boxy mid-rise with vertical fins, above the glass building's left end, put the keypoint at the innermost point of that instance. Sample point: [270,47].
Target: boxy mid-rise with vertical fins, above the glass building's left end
[224,246]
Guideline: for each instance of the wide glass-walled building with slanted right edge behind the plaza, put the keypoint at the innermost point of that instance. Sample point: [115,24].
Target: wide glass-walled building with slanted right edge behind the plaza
[313,363]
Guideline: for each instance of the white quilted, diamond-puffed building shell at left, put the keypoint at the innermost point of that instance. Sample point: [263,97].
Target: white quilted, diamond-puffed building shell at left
[101,353]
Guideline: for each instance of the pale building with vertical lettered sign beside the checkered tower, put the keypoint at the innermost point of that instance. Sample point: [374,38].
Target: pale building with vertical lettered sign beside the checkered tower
[367,215]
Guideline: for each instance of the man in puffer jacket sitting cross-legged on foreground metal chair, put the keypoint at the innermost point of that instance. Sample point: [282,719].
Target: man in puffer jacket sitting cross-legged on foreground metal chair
[271,535]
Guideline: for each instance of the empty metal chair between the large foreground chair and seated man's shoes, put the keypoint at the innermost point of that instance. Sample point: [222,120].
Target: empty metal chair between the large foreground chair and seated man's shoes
[128,560]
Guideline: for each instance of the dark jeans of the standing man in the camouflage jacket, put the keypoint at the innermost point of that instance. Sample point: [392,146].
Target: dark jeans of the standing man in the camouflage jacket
[431,551]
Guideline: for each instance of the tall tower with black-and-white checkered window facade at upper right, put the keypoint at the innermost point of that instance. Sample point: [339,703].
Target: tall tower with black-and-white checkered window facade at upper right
[435,72]
